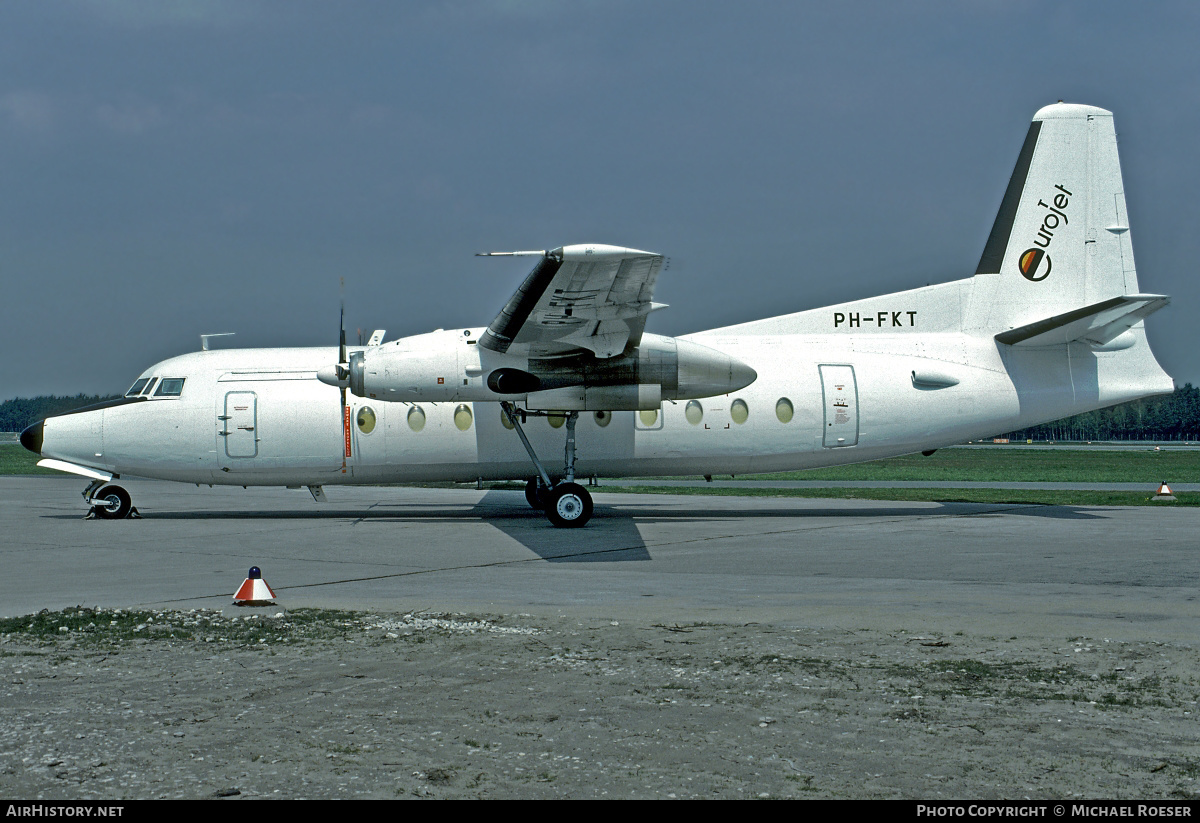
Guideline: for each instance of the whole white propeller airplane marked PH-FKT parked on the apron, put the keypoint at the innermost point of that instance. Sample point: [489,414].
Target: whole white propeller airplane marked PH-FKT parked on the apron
[1049,326]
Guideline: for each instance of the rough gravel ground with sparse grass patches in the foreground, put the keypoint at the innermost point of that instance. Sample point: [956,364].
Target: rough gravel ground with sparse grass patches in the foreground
[253,704]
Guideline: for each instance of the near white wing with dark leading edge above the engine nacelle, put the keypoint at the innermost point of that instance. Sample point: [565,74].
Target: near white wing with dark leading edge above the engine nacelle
[586,297]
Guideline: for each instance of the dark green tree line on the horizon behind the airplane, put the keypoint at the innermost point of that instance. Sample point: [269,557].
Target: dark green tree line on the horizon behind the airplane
[1175,417]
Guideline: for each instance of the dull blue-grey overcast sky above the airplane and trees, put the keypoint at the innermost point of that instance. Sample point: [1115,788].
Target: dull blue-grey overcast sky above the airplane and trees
[172,169]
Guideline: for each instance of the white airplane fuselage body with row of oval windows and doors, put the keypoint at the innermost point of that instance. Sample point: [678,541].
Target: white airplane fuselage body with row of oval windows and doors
[260,417]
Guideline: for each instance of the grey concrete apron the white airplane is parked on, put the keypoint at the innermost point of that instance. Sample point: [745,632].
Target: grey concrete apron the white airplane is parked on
[1005,570]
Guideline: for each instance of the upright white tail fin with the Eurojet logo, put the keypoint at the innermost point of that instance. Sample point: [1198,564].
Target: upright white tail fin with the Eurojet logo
[1061,241]
